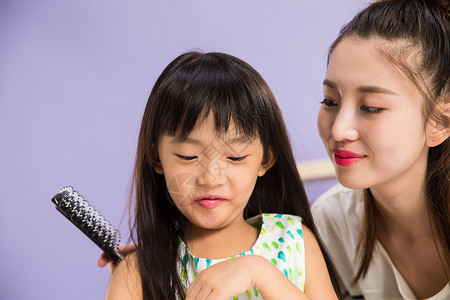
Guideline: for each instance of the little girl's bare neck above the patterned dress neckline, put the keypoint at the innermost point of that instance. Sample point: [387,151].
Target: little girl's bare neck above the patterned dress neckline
[224,242]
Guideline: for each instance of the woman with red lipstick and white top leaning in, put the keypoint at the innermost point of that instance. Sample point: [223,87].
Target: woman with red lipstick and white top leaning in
[384,121]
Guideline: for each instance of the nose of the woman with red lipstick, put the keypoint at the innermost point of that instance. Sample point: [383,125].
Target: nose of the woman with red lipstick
[345,126]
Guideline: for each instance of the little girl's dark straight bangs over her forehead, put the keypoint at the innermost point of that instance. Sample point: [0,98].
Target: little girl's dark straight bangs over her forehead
[193,97]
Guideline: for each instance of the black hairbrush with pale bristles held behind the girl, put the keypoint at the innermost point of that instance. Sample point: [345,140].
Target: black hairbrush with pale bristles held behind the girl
[88,220]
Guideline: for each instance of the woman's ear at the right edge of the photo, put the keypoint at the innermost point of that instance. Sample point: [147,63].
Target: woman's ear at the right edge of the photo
[438,131]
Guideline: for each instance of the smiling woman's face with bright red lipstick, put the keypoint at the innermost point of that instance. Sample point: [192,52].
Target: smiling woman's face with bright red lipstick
[371,119]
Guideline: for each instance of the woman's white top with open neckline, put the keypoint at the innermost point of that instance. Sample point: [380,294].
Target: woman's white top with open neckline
[338,216]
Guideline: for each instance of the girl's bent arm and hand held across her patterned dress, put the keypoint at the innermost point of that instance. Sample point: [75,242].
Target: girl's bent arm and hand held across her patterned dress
[232,277]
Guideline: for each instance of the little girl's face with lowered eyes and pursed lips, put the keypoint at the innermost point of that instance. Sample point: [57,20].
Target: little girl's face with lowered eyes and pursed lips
[210,177]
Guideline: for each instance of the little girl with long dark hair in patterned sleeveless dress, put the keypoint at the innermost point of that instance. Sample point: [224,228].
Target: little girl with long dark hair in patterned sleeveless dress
[220,209]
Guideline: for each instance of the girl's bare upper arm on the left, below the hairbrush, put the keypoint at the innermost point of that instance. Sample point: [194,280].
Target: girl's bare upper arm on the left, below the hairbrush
[125,281]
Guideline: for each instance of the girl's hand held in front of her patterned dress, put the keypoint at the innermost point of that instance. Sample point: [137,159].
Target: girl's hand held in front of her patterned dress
[226,279]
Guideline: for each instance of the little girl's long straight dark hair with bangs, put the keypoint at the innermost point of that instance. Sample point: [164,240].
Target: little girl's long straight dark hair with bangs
[191,88]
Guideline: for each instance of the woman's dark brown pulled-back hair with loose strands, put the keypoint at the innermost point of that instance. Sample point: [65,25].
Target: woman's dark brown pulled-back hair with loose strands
[417,35]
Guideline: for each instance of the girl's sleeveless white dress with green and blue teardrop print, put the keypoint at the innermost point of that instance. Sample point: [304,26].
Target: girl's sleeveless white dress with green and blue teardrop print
[280,241]
